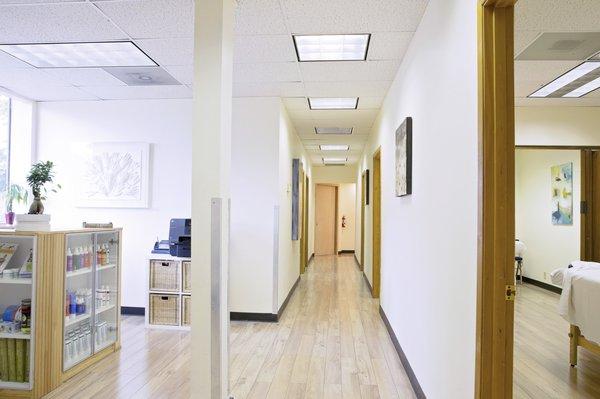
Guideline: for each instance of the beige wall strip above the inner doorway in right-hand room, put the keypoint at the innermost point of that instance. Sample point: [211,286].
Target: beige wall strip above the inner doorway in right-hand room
[557,126]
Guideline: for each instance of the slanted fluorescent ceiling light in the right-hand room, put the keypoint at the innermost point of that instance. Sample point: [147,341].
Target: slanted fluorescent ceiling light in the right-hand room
[578,82]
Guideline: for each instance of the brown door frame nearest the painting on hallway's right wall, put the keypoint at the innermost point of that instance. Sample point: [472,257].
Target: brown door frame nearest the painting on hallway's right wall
[376,264]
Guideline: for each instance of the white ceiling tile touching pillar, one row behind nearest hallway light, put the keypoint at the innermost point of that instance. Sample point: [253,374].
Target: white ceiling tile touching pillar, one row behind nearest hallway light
[266,72]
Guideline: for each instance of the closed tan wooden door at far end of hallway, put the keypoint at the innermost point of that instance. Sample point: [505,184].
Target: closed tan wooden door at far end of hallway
[325,220]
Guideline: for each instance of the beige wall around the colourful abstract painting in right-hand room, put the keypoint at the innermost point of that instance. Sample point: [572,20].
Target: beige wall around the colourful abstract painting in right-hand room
[548,246]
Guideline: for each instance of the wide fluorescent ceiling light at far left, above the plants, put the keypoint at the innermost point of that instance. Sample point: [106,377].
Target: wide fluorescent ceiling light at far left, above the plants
[79,55]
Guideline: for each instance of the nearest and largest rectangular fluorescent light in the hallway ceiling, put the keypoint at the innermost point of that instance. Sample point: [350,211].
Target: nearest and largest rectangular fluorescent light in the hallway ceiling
[332,47]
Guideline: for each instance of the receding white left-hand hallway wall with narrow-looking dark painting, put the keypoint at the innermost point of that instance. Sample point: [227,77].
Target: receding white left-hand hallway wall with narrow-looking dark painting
[290,147]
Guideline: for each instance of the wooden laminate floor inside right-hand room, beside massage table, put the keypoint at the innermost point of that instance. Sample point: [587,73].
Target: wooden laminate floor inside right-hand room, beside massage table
[542,367]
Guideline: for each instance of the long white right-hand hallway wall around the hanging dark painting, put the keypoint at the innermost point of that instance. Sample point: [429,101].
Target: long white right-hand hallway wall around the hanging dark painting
[429,239]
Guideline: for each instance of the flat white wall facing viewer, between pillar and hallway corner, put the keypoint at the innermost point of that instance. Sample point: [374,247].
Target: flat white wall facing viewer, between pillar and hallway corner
[254,191]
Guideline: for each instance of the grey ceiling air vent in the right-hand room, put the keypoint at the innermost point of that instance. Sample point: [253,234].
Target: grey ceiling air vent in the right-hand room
[562,46]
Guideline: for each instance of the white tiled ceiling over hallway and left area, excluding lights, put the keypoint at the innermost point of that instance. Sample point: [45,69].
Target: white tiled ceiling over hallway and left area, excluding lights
[264,56]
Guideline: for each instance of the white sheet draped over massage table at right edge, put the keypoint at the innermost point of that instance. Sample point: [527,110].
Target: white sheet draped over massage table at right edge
[583,307]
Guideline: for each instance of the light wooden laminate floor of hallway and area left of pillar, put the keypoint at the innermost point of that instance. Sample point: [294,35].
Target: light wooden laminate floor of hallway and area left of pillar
[330,343]
